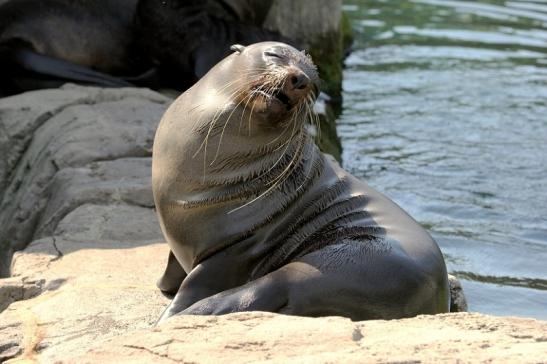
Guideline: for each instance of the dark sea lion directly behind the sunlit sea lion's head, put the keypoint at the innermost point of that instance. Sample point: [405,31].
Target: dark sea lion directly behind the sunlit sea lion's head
[188,37]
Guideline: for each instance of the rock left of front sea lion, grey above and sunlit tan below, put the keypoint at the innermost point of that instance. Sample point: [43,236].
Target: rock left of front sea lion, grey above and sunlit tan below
[76,182]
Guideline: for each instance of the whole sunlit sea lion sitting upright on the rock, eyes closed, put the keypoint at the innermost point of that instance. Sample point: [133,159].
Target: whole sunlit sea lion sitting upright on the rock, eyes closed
[257,218]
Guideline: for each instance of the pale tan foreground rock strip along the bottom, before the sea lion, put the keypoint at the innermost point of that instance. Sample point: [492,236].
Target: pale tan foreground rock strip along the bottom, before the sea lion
[265,337]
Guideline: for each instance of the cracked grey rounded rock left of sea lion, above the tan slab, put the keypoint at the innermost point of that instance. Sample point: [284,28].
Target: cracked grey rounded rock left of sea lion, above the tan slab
[64,148]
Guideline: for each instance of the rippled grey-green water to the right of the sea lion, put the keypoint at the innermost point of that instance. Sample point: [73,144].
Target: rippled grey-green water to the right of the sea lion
[445,111]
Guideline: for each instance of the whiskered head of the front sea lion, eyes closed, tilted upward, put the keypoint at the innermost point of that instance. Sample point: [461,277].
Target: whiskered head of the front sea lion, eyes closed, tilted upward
[271,83]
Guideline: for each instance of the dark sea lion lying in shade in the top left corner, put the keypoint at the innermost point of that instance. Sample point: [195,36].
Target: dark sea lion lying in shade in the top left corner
[45,44]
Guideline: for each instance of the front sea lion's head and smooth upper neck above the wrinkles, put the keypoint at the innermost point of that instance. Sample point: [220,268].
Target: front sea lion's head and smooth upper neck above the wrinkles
[244,119]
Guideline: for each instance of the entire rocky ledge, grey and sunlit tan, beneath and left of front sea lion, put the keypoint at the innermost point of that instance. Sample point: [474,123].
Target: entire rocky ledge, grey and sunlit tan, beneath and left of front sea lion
[75,187]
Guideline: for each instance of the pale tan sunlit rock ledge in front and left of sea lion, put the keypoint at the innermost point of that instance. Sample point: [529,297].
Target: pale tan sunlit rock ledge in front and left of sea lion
[84,301]
